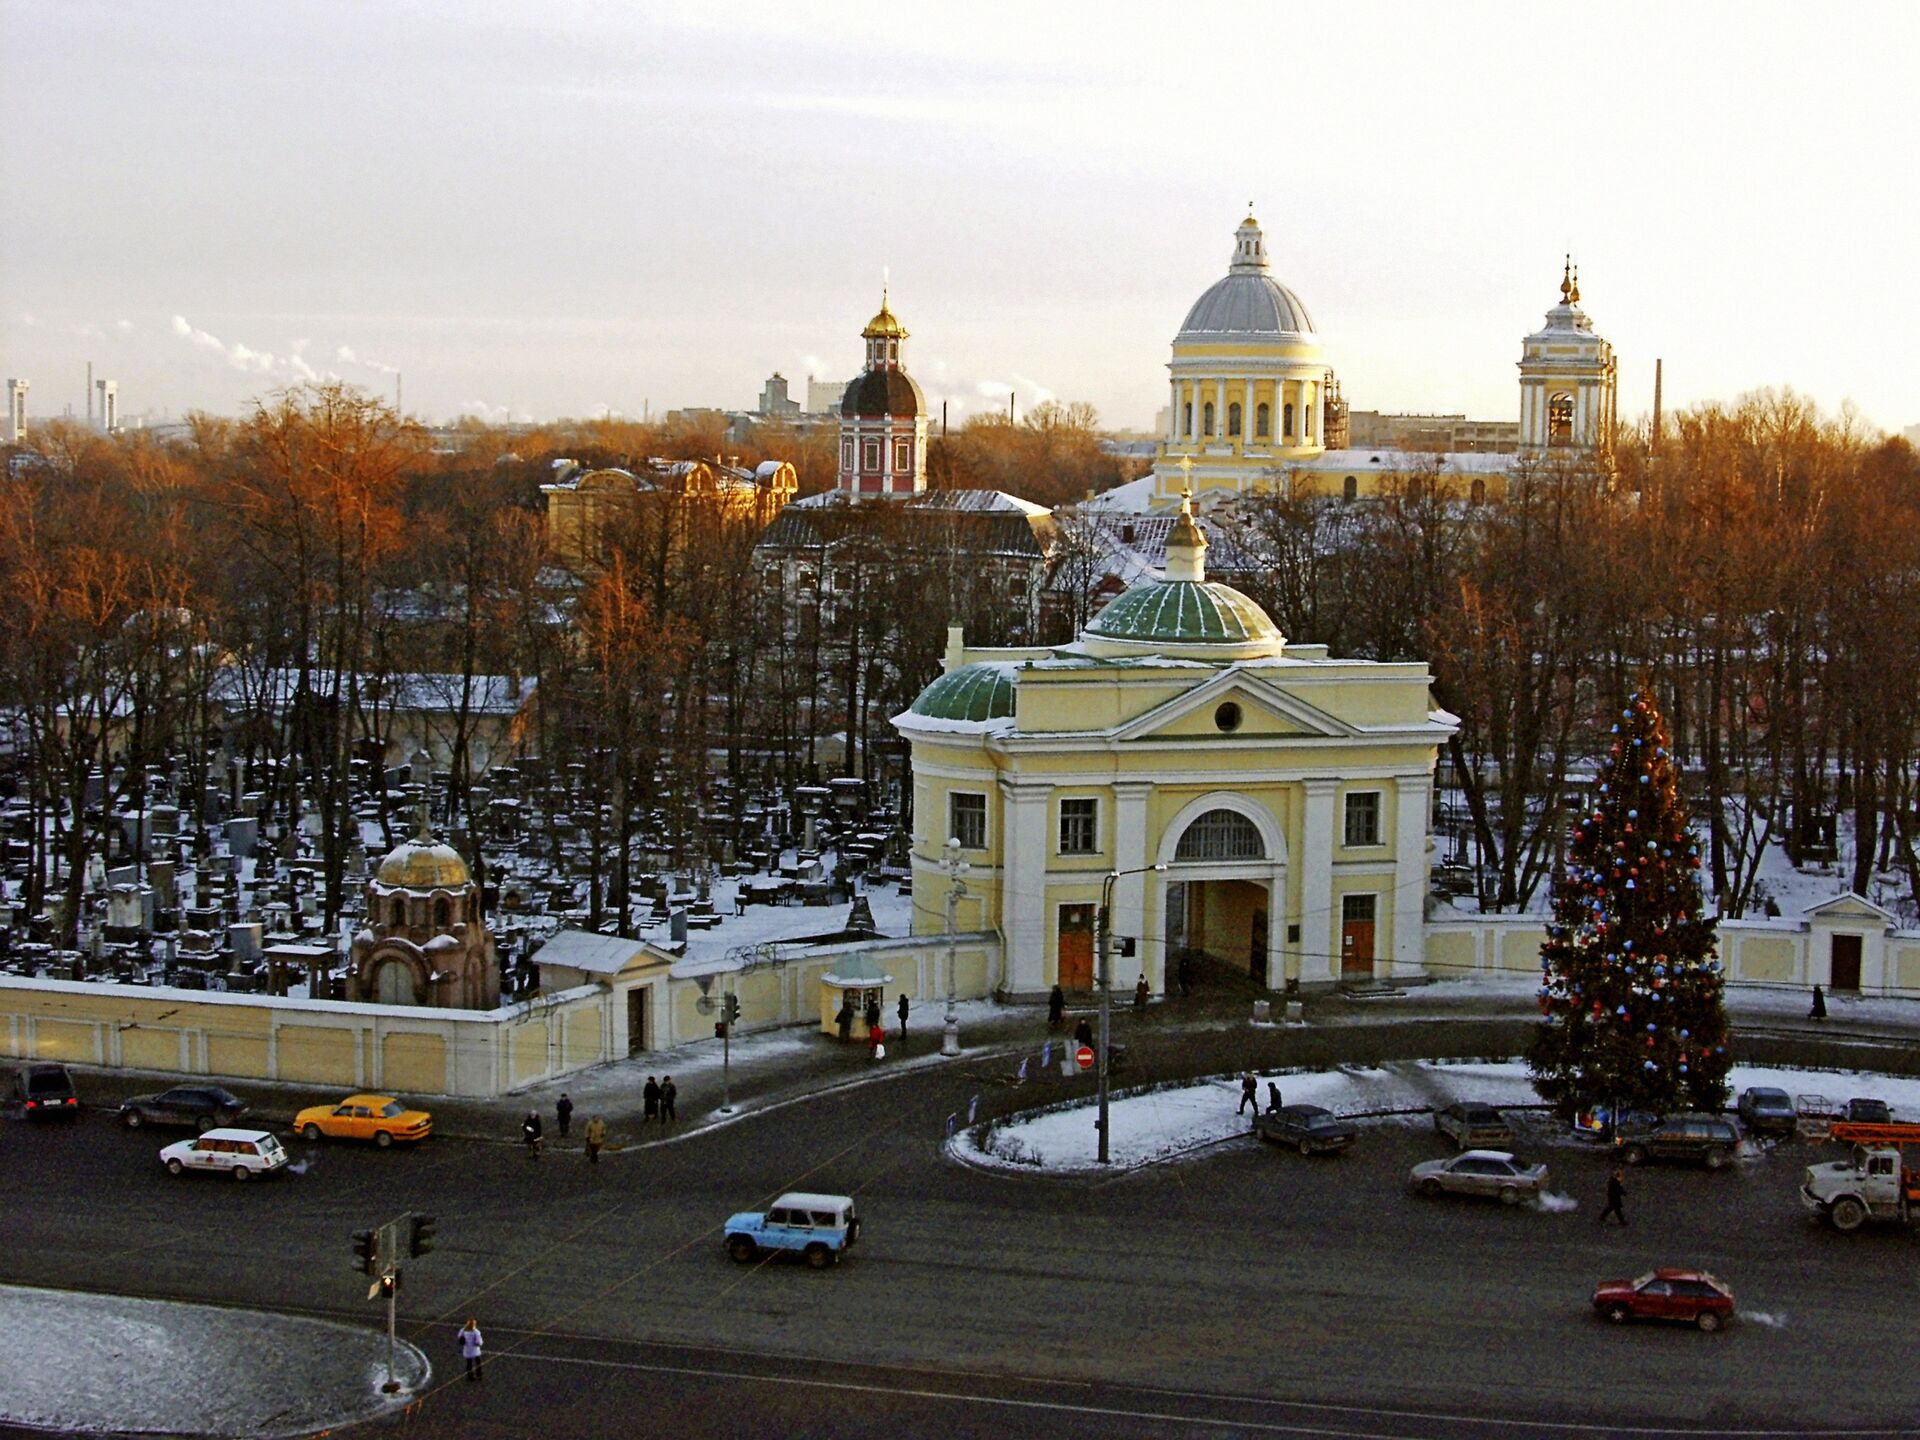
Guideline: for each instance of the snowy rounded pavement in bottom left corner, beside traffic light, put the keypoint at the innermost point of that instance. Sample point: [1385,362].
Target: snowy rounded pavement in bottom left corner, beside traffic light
[93,1364]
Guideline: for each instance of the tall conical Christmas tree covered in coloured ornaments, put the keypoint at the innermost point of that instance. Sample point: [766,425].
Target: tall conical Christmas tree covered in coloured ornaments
[1631,988]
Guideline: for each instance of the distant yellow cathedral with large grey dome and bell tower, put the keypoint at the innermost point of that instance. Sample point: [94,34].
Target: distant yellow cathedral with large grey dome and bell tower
[1255,404]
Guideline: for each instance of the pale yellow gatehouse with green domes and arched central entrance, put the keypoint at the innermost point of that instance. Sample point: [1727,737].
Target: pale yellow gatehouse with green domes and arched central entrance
[1257,804]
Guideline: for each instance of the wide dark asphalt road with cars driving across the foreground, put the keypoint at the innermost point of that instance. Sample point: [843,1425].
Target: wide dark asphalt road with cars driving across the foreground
[1241,1293]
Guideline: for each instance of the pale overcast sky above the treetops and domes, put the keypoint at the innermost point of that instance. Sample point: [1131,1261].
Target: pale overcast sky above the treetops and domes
[565,208]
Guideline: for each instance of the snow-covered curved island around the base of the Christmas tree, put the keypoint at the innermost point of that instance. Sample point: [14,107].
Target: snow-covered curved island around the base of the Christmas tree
[1178,1124]
